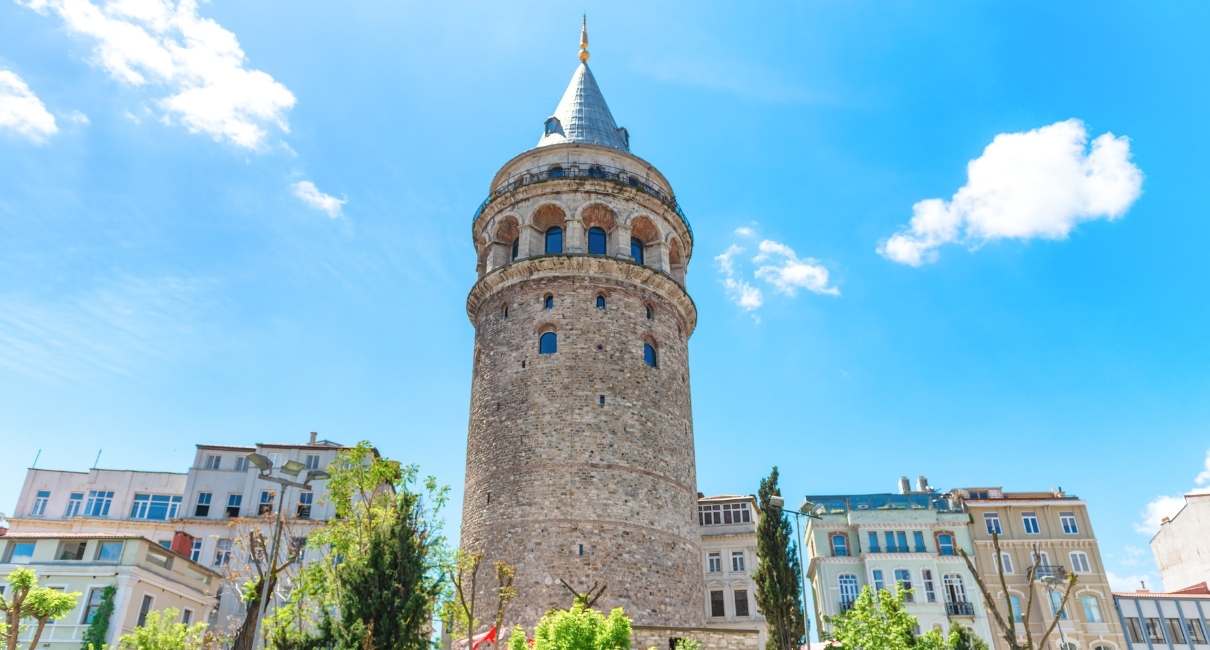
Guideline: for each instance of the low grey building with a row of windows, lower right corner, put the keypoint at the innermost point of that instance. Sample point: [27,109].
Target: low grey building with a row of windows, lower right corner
[1169,620]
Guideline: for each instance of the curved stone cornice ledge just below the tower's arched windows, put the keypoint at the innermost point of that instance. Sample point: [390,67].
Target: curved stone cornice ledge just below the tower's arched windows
[580,266]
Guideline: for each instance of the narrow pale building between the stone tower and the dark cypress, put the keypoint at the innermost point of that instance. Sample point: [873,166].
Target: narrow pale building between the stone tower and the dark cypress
[729,559]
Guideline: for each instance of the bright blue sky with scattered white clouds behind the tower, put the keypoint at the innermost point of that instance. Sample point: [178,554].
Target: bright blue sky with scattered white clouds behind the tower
[253,223]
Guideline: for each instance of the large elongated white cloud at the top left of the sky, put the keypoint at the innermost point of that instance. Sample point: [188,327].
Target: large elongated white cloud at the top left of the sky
[194,65]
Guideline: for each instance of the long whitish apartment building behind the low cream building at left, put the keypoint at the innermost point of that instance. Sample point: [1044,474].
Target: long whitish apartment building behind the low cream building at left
[205,514]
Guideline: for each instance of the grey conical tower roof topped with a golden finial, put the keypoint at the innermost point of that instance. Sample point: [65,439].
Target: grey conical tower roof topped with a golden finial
[583,116]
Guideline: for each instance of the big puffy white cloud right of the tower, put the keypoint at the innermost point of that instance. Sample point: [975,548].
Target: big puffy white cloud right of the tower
[1040,183]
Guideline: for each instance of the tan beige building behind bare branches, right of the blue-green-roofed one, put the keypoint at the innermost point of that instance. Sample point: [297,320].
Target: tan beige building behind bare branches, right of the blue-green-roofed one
[1050,531]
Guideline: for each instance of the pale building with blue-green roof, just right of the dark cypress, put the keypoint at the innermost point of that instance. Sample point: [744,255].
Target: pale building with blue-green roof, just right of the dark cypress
[907,540]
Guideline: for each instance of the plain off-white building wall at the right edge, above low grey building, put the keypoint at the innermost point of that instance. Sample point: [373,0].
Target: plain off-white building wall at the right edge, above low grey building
[1183,544]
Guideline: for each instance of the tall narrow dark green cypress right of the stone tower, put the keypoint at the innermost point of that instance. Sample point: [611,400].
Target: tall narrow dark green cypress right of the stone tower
[779,574]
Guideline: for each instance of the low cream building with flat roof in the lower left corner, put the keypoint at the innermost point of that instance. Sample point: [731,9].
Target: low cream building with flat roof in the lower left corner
[146,577]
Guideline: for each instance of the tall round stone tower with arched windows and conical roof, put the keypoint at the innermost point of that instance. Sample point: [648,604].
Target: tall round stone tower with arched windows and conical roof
[580,451]
